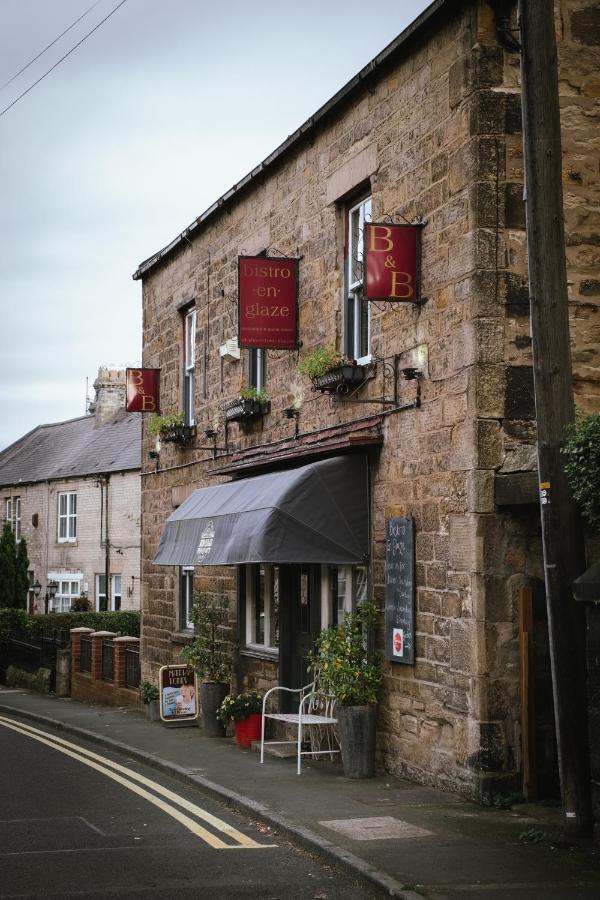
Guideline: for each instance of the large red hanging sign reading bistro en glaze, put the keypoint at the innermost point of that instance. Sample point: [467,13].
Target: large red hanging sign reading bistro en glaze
[268,302]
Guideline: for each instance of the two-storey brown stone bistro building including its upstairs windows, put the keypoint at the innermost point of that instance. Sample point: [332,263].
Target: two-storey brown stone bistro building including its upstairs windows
[429,131]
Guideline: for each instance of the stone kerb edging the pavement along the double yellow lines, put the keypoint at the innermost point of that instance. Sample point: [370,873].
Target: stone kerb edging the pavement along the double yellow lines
[354,865]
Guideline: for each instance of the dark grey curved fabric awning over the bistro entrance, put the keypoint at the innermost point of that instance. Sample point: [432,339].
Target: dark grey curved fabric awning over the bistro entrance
[314,514]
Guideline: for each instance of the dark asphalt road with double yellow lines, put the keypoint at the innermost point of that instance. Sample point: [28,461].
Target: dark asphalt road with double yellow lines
[78,821]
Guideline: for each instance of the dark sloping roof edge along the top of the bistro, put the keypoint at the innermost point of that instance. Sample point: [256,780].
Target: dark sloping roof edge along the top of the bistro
[367,72]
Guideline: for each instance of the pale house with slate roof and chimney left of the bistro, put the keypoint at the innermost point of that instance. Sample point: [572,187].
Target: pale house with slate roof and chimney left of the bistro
[72,489]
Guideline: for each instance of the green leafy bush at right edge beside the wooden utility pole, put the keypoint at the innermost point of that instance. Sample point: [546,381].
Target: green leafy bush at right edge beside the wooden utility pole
[582,466]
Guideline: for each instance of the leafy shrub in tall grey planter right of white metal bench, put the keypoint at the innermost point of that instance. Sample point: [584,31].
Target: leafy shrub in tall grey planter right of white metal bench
[353,675]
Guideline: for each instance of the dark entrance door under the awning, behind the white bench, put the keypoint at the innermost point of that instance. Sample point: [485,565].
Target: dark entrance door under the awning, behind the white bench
[300,618]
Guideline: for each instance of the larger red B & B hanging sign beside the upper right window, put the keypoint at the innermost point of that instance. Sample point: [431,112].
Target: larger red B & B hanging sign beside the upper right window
[391,255]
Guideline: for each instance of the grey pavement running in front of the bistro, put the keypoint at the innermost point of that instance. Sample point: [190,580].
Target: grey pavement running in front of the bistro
[408,840]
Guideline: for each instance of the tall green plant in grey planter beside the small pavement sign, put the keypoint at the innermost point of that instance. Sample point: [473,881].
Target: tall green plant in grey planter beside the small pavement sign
[211,656]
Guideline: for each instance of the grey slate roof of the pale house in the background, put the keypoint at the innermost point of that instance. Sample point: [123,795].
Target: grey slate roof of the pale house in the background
[74,448]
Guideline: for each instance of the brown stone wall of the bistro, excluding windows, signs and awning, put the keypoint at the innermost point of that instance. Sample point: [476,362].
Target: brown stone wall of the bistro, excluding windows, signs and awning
[436,134]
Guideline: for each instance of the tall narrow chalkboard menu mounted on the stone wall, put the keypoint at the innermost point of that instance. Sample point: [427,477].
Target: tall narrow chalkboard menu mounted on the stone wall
[400,591]
